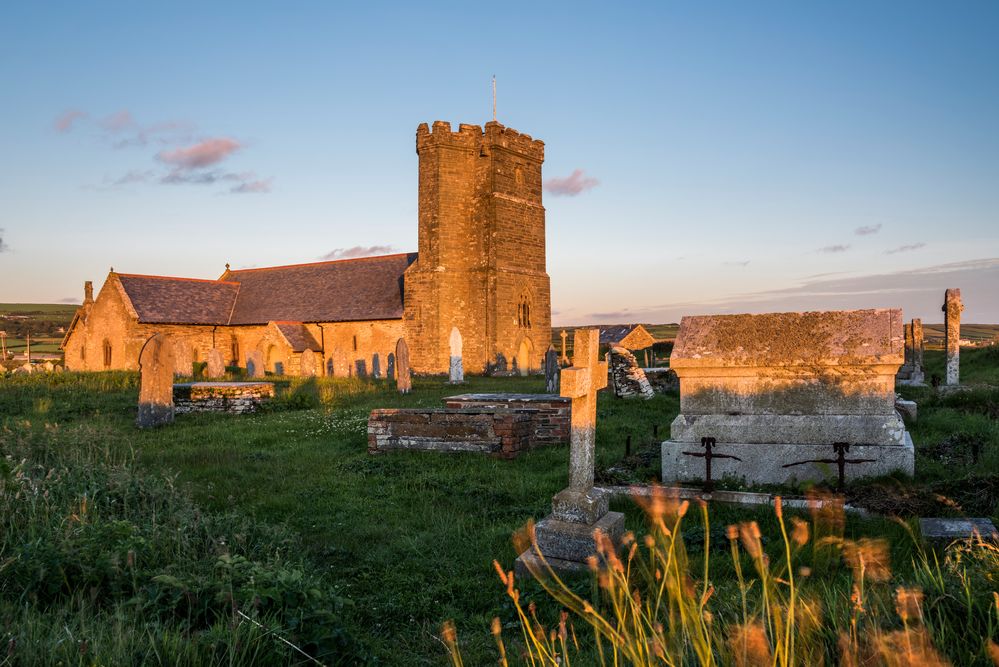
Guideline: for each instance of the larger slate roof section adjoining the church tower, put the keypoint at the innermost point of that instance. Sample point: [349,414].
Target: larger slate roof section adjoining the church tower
[367,288]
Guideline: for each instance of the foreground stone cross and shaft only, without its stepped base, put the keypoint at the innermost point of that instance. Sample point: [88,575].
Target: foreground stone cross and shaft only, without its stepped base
[580,382]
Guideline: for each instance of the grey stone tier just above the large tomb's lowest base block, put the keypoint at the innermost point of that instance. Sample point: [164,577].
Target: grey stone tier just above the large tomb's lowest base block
[888,430]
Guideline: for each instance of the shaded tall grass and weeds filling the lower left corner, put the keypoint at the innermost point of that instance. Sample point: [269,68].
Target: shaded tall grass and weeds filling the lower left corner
[102,564]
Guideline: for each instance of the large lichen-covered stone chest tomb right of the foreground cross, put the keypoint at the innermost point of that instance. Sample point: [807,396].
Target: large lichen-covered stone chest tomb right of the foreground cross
[781,390]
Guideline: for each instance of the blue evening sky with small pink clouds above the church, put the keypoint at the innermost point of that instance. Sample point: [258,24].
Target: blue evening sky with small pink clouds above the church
[734,157]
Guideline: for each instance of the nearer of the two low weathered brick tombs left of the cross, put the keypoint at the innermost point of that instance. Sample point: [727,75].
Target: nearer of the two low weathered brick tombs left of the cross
[502,433]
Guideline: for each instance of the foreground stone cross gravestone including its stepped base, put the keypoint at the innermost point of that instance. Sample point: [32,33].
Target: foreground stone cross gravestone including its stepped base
[565,537]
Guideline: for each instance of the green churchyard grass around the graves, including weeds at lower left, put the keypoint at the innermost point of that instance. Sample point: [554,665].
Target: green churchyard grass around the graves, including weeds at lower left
[285,517]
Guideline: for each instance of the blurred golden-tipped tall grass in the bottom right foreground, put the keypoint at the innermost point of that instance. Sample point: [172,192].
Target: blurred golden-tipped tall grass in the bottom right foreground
[655,605]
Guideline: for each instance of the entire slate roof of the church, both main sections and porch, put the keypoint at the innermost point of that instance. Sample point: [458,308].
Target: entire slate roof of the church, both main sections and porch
[367,288]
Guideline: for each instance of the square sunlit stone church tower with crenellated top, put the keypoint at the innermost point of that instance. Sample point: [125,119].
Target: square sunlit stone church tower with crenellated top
[481,265]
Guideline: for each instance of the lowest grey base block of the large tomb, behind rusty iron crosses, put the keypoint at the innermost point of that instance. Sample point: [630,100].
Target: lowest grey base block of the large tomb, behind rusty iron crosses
[763,462]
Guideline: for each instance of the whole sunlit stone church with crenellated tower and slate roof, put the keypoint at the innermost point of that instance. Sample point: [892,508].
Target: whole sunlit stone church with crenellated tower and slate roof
[479,268]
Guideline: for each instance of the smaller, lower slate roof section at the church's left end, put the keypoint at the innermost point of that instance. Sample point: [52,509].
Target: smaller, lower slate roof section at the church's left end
[162,300]
